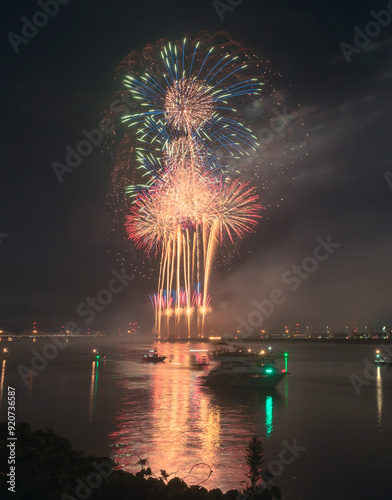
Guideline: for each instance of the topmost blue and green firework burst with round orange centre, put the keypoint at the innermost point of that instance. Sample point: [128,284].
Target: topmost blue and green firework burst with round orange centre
[192,96]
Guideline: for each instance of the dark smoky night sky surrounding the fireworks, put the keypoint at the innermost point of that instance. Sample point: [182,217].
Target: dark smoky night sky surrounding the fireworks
[57,252]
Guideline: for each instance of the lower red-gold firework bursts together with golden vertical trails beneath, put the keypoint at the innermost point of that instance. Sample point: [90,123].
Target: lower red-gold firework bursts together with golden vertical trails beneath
[183,216]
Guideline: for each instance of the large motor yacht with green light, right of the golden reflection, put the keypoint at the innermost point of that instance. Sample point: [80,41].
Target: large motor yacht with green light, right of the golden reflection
[241,373]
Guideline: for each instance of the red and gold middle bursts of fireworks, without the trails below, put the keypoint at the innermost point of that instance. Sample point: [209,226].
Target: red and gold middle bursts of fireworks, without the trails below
[188,201]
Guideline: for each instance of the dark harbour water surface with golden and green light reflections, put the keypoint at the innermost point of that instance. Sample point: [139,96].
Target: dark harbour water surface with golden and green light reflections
[165,413]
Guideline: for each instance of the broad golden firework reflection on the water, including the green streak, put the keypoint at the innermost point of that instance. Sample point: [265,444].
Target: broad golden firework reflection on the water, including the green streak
[169,417]
